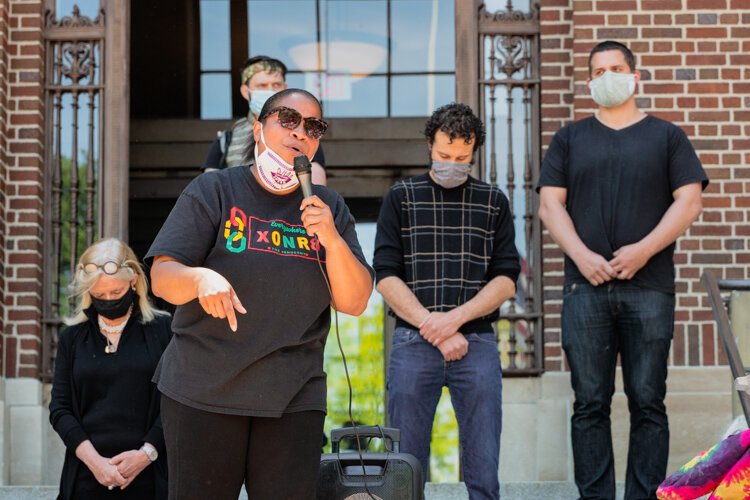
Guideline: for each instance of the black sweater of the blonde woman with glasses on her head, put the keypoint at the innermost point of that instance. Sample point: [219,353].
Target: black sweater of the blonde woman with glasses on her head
[109,398]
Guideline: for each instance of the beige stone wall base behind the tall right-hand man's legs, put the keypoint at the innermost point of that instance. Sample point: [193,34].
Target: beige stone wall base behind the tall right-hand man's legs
[536,422]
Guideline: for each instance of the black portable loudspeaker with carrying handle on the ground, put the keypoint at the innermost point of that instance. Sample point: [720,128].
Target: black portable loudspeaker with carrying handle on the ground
[389,475]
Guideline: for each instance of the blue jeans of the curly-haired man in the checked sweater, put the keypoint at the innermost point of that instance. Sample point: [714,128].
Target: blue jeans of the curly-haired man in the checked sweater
[416,376]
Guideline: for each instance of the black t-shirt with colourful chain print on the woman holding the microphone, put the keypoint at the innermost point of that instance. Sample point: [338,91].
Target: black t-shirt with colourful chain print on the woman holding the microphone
[273,364]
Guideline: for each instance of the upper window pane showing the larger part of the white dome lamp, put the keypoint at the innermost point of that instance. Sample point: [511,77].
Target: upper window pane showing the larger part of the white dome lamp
[354,36]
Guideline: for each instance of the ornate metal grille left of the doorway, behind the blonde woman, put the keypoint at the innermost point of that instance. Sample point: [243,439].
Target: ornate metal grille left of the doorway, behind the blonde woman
[73,92]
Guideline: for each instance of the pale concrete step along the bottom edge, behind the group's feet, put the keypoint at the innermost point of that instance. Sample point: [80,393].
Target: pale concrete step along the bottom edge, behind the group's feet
[547,490]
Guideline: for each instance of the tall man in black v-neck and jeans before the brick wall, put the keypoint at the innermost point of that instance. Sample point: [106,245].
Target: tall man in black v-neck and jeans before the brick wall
[616,190]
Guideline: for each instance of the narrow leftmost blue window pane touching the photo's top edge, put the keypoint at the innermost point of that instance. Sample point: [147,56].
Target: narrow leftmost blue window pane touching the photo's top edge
[215,51]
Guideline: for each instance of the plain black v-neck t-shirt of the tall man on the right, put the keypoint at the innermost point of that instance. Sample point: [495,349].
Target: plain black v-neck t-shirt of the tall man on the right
[619,186]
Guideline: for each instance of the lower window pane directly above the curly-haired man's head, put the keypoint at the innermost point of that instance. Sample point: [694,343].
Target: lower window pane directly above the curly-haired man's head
[420,95]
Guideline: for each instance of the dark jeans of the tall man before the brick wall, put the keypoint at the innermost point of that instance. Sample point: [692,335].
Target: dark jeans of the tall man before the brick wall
[597,324]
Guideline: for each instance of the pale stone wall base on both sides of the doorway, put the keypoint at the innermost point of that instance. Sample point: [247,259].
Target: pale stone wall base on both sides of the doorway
[535,439]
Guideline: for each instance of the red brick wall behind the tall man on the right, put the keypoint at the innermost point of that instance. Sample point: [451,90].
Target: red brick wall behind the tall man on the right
[693,56]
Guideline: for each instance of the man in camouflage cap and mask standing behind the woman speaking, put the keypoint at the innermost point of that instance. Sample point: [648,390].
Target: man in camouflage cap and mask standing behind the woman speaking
[261,77]
